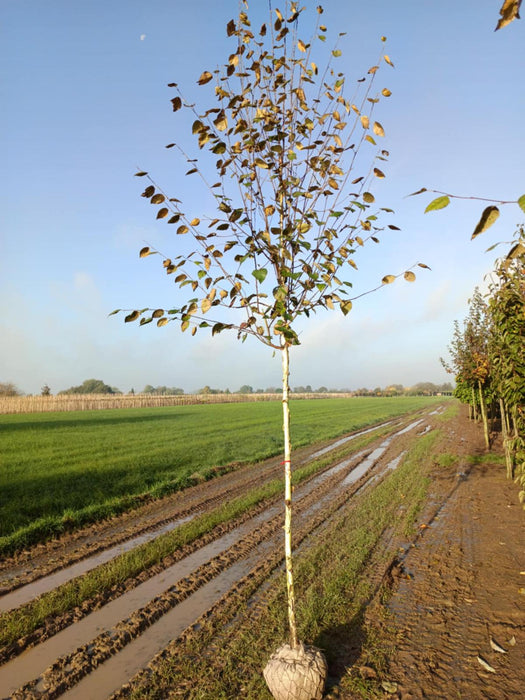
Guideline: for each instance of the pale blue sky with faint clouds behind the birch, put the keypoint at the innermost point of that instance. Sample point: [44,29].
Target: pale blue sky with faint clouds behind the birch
[85,103]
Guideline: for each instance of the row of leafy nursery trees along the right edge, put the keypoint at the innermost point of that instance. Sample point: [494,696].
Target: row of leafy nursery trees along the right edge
[488,357]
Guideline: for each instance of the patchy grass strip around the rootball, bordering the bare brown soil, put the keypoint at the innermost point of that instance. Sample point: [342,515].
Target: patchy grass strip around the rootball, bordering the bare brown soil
[335,577]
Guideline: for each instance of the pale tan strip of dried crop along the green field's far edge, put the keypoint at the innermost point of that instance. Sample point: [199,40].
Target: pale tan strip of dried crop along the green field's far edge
[91,402]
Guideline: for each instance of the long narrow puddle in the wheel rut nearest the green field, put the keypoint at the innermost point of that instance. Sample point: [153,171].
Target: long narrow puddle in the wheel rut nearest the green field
[25,594]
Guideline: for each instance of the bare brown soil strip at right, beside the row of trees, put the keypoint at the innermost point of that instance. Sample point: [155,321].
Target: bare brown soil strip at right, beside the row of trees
[456,614]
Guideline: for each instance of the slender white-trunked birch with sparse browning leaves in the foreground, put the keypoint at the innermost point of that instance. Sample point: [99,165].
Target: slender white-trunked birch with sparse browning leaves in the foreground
[296,153]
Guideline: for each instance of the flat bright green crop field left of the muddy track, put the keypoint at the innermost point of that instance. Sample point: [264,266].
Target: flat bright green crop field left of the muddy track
[60,470]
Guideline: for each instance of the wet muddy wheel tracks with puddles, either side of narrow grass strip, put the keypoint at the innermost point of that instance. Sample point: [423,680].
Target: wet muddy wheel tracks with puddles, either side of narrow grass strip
[93,651]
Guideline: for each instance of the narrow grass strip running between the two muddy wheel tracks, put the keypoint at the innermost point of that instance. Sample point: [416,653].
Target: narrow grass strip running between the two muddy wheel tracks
[25,620]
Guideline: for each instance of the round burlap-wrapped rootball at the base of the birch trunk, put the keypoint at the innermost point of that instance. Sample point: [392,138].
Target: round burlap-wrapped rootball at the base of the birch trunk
[296,673]
